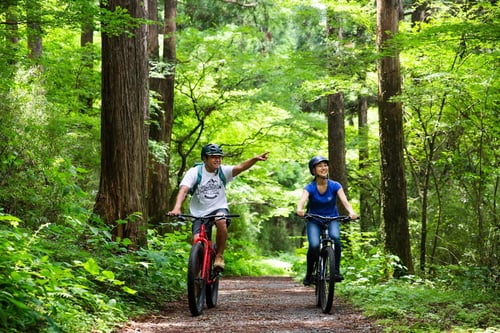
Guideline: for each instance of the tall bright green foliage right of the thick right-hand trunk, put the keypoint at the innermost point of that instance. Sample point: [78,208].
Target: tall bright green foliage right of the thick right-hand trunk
[452,132]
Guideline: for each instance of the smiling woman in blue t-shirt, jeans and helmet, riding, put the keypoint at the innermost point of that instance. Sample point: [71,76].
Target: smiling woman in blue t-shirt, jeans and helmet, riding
[321,196]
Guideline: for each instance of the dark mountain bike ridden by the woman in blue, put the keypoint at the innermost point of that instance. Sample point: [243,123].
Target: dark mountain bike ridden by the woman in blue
[324,276]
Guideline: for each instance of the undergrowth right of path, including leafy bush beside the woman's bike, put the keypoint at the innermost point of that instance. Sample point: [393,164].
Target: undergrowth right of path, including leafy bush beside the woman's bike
[451,299]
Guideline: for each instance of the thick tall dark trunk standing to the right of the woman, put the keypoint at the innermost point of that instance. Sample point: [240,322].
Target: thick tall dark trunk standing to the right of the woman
[393,184]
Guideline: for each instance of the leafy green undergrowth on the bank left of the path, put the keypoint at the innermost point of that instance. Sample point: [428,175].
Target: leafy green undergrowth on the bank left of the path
[74,278]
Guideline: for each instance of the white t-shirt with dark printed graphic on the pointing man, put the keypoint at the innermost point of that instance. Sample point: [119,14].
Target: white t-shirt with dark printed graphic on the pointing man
[210,194]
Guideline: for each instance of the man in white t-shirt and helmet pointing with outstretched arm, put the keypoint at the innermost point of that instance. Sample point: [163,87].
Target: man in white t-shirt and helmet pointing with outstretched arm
[209,195]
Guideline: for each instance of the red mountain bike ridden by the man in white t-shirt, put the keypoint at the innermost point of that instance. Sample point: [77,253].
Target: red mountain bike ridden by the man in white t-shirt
[202,277]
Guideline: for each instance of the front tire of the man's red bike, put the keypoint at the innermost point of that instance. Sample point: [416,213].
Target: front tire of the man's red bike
[195,284]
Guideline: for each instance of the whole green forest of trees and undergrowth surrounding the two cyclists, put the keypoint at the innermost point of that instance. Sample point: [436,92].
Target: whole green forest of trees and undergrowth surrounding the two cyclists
[105,105]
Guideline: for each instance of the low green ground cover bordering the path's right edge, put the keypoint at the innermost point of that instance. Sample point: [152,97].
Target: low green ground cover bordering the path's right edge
[441,304]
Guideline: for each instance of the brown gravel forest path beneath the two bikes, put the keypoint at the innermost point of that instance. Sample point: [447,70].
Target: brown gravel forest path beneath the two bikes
[257,304]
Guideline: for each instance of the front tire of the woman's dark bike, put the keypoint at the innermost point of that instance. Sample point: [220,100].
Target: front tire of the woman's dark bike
[327,279]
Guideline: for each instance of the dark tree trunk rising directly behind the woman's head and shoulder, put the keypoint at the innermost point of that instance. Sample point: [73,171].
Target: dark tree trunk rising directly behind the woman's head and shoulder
[336,141]
